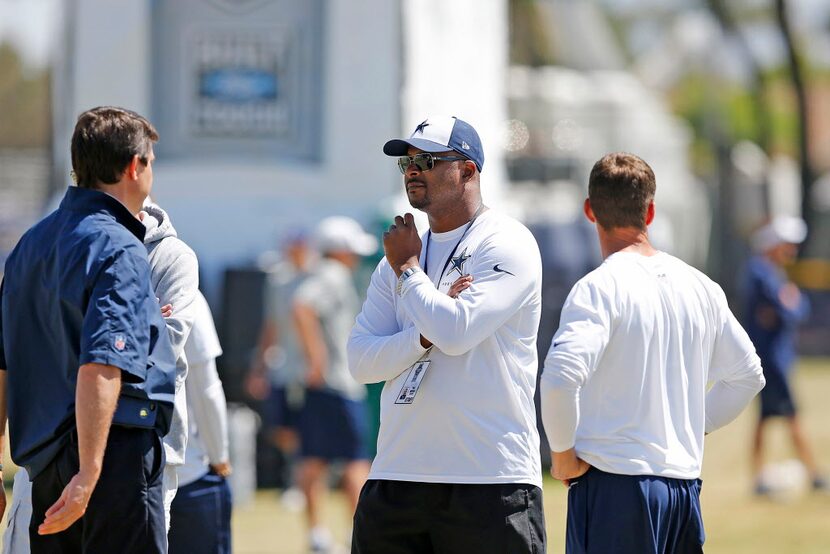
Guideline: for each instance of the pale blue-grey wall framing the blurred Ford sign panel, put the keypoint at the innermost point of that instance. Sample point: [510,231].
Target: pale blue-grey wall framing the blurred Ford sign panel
[229,211]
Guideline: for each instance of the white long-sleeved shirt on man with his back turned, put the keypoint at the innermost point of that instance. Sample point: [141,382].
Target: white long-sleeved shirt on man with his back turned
[647,359]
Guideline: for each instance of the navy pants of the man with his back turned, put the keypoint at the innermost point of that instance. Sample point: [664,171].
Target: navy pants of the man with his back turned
[633,514]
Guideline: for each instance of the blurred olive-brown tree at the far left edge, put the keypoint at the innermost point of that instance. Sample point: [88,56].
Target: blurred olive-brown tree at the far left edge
[24,96]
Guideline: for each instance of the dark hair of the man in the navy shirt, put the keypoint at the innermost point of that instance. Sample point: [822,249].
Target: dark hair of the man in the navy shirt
[105,140]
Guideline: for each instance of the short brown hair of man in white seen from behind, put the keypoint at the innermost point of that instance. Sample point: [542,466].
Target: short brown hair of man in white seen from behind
[620,189]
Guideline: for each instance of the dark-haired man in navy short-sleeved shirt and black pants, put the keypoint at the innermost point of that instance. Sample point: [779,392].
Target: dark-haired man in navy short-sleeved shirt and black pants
[89,370]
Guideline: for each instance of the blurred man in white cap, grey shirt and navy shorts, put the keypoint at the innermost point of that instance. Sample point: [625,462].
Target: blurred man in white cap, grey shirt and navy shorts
[333,422]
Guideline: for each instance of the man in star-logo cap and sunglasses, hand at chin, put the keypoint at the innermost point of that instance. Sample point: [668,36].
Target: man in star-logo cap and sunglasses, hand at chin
[450,325]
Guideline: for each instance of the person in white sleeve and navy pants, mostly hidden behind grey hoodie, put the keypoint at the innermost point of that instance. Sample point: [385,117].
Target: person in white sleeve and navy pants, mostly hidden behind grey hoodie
[200,516]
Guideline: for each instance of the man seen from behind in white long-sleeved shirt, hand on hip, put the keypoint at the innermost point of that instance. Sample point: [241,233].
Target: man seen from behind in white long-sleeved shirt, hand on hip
[647,359]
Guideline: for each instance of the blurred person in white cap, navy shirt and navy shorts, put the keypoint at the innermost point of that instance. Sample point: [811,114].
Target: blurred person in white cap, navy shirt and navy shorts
[773,308]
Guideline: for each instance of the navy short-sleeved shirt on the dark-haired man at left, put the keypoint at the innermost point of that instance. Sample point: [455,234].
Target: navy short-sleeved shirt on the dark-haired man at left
[76,290]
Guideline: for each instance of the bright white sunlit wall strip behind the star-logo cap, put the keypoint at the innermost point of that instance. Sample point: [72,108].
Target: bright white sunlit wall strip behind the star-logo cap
[456,56]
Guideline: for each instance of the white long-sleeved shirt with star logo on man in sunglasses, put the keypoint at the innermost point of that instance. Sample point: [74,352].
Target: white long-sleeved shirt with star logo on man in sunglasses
[473,418]
